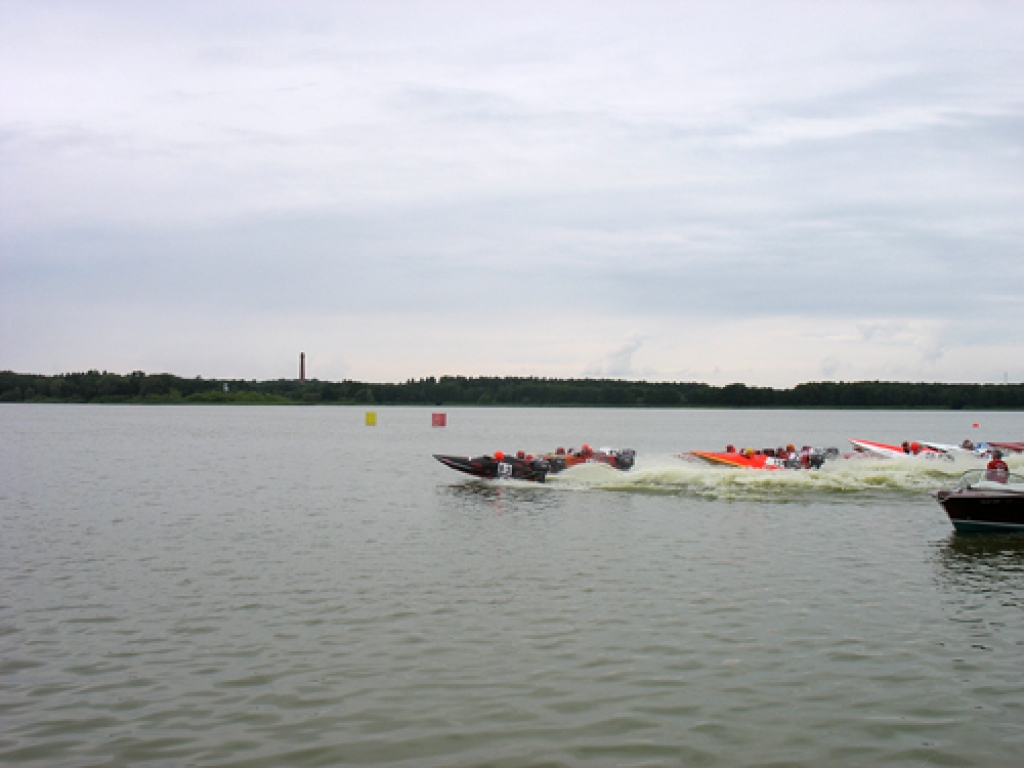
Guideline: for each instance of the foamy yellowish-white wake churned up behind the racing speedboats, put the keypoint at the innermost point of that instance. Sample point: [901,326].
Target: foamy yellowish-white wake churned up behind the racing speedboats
[838,480]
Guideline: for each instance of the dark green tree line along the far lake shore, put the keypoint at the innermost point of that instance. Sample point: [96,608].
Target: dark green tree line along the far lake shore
[96,387]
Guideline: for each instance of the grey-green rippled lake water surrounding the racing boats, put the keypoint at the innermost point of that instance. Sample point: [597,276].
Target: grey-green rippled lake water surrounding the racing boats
[284,586]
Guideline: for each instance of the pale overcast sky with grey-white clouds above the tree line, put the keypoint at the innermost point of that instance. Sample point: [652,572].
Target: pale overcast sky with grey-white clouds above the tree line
[758,192]
